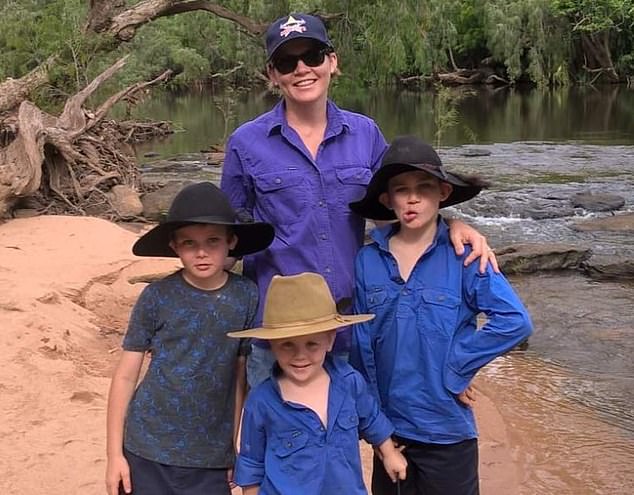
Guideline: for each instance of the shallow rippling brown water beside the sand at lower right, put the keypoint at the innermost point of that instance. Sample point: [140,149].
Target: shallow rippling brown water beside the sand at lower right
[568,398]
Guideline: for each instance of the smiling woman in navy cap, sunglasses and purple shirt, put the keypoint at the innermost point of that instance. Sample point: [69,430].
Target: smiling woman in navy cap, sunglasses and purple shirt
[299,165]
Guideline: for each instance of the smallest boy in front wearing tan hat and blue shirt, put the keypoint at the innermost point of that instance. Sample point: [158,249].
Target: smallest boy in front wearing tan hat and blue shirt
[301,426]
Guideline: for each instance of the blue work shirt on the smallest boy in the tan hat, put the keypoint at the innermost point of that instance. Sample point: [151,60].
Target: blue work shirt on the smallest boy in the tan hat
[285,448]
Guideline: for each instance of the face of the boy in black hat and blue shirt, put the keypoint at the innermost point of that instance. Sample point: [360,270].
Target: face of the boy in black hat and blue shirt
[415,198]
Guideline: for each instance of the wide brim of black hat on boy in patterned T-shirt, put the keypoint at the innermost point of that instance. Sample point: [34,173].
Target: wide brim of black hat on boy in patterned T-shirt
[252,237]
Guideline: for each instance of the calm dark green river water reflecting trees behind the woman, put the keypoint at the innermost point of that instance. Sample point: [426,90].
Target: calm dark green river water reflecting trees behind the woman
[487,116]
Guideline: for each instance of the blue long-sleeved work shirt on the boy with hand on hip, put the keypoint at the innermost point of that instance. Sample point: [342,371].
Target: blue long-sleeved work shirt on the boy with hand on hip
[423,349]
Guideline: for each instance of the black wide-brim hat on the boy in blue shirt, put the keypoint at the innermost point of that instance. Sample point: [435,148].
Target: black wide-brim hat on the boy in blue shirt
[407,153]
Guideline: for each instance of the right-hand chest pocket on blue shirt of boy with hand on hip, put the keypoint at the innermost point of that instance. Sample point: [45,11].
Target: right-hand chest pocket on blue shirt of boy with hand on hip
[439,313]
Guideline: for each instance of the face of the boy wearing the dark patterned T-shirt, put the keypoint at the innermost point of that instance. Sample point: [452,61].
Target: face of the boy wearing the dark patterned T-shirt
[203,250]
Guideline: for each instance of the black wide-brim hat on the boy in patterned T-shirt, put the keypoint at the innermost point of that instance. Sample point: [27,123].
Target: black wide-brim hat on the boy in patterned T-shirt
[203,203]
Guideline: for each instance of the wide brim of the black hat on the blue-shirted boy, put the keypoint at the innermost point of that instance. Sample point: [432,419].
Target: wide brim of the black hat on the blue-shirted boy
[370,206]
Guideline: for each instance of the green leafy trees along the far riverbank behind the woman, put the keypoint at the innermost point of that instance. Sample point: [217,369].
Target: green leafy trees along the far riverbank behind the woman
[378,42]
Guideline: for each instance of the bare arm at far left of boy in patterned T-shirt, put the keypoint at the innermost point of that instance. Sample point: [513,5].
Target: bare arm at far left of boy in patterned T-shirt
[121,391]
